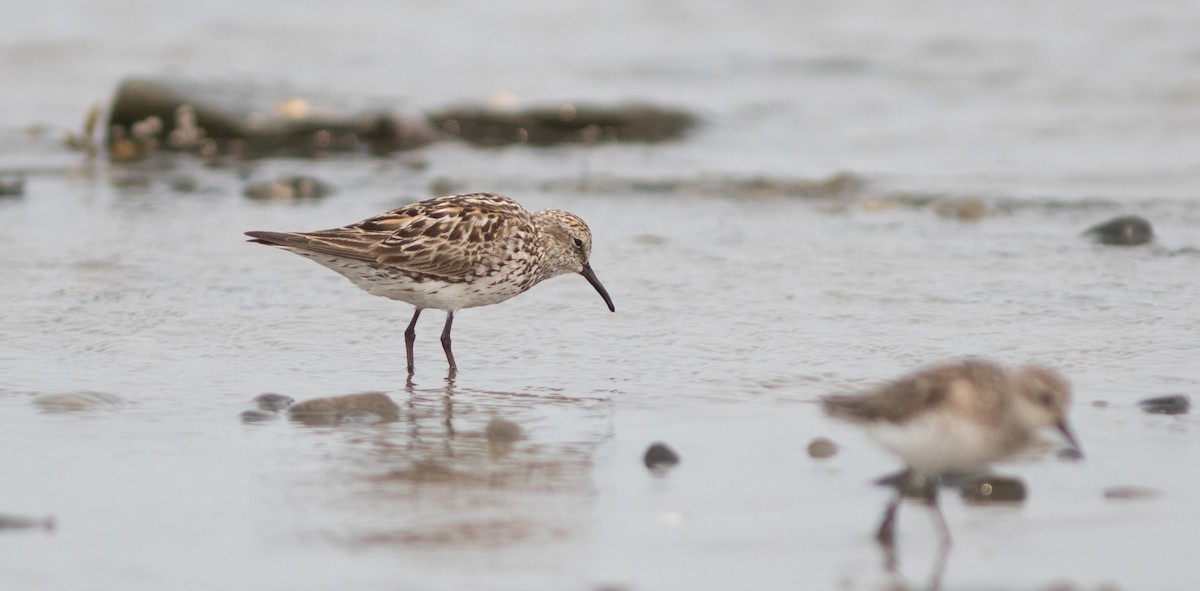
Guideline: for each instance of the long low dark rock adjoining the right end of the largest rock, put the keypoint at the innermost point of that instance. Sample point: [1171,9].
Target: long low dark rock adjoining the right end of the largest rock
[563,124]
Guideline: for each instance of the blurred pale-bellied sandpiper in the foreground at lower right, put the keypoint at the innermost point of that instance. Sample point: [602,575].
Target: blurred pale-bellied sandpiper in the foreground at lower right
[957,419]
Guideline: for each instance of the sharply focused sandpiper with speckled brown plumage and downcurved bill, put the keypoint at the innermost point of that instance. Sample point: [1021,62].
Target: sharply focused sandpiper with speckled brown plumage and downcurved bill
[449,254]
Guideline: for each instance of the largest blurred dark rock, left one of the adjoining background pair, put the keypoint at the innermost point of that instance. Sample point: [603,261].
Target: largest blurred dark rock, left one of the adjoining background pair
[248,121]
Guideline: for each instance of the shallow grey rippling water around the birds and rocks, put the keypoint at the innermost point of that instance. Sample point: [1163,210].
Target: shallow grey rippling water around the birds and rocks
[734,315]
